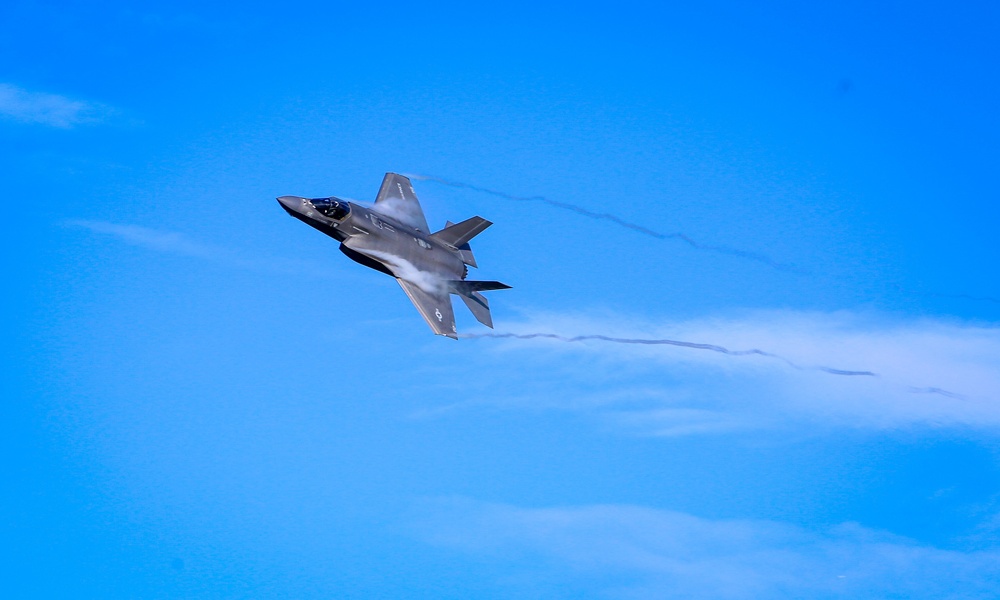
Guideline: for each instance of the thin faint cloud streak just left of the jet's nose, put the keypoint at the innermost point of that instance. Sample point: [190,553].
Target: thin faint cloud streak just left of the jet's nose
[173,242]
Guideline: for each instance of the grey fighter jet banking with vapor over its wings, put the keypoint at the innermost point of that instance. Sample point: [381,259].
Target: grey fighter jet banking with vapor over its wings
[392,237]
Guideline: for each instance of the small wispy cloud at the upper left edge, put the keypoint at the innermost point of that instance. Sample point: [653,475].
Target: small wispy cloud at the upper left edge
[43,108]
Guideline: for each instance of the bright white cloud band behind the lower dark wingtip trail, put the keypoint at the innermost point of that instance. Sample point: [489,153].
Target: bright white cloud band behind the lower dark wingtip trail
[843,369]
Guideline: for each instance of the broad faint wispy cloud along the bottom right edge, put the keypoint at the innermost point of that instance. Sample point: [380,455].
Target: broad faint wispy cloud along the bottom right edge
[632,551]
